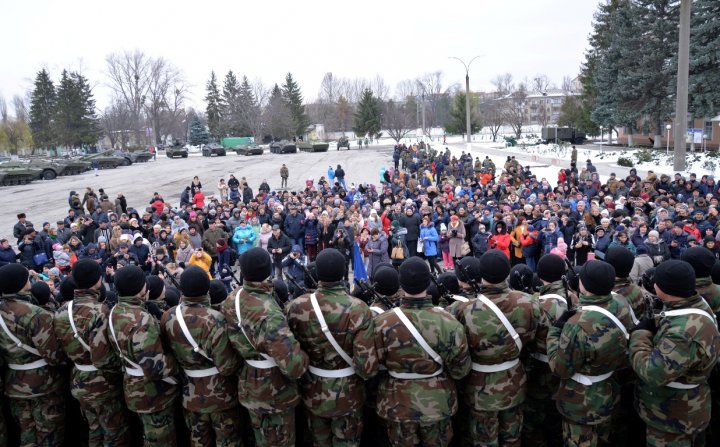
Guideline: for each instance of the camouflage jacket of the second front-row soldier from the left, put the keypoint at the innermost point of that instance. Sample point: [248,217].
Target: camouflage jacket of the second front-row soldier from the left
[90,317]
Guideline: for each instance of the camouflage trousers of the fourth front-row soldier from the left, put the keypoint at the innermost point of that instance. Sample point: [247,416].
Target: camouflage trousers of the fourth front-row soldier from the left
[219,428]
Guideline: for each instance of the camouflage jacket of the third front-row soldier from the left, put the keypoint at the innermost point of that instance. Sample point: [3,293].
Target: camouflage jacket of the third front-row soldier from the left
[138,336]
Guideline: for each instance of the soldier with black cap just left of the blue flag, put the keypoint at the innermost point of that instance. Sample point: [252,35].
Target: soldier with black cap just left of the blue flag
[341,351]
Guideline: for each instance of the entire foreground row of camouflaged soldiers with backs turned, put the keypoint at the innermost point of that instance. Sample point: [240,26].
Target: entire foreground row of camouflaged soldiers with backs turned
[497,366]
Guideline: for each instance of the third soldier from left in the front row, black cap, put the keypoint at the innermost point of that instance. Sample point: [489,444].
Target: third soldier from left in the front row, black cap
[149,380]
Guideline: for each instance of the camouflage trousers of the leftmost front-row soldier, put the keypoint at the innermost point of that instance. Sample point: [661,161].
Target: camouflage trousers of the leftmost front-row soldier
[41,420]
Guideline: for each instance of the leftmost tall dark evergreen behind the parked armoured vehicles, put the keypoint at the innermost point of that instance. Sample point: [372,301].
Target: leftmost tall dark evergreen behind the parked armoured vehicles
[42,110]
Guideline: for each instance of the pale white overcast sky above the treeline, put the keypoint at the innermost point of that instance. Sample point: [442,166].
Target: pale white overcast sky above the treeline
[266,39]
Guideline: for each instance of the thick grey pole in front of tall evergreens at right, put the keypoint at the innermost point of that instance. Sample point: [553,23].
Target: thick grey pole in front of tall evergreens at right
[681,104]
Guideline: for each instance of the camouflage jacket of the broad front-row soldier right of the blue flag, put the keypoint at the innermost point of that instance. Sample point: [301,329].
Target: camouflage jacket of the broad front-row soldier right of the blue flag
[421,400]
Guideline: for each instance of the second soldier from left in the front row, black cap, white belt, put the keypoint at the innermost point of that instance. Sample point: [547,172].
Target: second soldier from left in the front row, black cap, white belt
[81,328]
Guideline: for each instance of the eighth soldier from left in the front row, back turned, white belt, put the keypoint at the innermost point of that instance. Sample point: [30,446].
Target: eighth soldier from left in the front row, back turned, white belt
[498,324]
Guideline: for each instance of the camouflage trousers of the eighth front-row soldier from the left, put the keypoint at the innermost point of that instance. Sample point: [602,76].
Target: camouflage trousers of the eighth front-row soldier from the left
[493,428]
